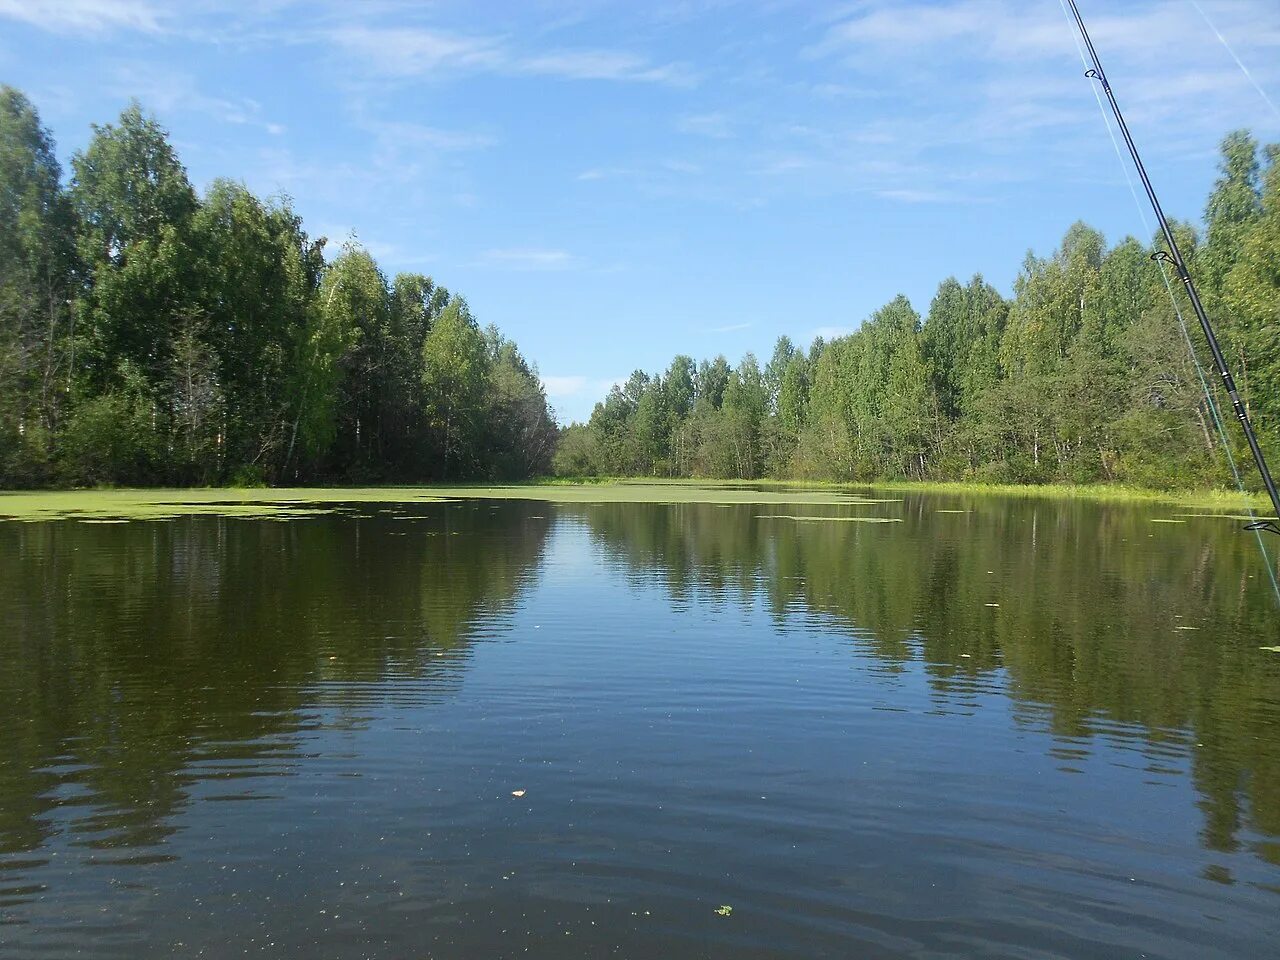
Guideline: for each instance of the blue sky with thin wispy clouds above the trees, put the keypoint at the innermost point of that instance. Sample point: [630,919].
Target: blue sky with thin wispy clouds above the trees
[614,184]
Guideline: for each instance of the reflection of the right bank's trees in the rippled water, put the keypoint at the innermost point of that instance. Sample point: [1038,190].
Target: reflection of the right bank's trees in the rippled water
[1086,628]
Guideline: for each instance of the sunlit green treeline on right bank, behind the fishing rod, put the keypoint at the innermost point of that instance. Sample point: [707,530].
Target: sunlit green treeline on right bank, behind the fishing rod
[1085,376]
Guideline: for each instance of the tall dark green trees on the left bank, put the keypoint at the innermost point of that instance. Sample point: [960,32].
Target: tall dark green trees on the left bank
[149,336]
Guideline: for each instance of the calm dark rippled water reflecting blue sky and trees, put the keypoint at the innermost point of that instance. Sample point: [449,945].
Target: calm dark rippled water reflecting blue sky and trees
[228,738]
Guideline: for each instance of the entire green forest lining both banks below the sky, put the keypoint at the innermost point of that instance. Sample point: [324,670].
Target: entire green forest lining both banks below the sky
[152,336]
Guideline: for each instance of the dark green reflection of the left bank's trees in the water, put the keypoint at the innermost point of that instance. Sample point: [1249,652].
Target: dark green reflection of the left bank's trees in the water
[143,659]
